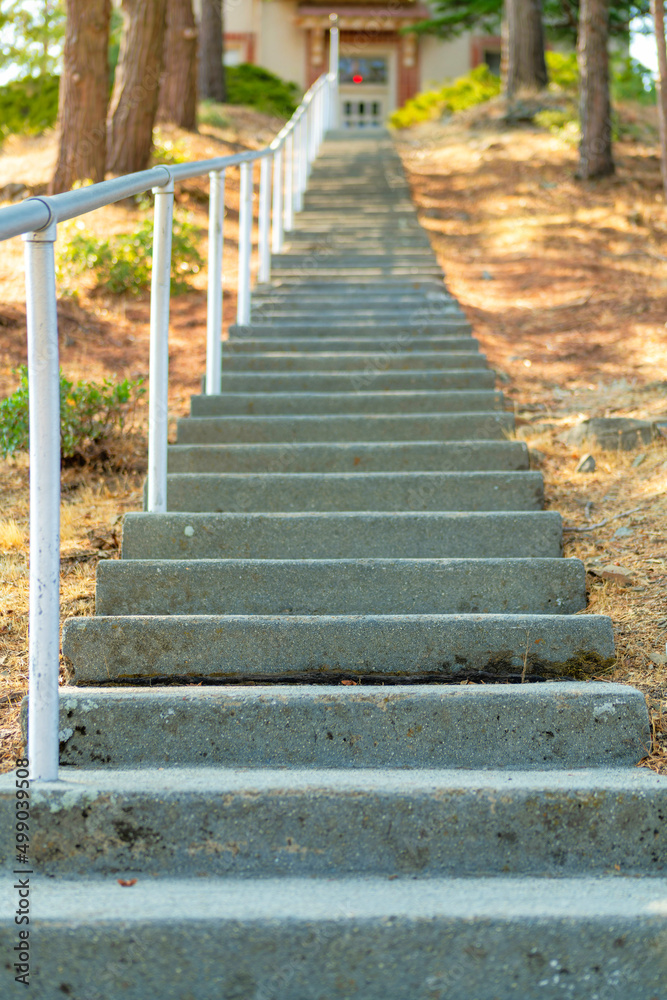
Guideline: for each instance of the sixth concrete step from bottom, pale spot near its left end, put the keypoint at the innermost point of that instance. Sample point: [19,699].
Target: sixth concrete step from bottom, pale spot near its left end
[363,535]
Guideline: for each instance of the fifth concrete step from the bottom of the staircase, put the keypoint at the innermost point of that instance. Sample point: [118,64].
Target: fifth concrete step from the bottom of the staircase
[340,586]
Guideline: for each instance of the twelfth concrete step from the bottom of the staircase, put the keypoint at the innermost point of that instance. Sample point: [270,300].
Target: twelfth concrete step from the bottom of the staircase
[339,361]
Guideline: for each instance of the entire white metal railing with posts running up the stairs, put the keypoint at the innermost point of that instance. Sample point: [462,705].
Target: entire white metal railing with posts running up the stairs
[284,168]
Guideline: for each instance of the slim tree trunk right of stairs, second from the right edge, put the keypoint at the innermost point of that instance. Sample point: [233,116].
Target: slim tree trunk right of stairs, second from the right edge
[595,156]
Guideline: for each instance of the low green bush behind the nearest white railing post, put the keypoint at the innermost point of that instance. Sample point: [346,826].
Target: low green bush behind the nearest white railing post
[89,412]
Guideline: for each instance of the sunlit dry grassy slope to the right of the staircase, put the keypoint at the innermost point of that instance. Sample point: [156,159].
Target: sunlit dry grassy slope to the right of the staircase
[566,286]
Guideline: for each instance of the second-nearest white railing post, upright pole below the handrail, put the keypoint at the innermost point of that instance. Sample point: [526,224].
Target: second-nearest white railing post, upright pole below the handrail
[158,401]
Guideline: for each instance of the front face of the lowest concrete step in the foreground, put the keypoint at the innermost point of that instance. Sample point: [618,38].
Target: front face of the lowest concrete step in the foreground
[201,955]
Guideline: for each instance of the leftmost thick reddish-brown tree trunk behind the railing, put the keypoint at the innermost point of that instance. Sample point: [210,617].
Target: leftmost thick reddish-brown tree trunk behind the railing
[84,95]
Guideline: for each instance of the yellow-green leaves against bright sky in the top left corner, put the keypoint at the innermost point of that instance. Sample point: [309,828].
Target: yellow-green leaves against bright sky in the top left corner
[31,35]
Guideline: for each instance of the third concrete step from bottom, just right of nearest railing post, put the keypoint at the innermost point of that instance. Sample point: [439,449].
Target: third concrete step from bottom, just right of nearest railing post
[560,725]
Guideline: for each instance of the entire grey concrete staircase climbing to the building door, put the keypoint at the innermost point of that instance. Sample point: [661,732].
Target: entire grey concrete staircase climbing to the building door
[324,811]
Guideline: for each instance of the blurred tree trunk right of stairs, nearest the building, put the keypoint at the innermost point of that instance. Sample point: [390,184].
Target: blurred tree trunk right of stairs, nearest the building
[526,67]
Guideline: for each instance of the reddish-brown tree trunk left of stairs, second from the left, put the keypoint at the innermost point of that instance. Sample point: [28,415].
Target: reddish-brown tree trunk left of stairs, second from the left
[135,93]
